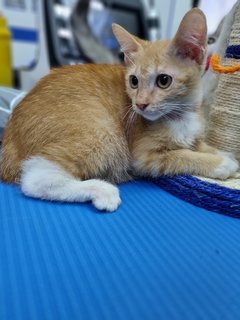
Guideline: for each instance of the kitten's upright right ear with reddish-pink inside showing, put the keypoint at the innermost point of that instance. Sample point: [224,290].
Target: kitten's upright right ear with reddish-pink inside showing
[191,38]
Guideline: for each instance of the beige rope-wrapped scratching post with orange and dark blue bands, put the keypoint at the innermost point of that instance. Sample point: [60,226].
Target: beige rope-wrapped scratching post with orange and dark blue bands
[224,119]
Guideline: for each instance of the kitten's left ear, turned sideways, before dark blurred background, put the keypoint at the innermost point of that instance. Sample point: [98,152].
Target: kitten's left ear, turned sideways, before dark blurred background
[129,43]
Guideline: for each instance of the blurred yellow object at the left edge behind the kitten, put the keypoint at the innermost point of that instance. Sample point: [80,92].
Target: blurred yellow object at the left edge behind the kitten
[5,54]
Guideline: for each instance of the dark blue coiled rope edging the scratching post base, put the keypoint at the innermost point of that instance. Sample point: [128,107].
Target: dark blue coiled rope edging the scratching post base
[203,194]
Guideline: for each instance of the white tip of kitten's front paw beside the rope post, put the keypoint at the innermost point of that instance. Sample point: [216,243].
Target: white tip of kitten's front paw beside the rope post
[227,168]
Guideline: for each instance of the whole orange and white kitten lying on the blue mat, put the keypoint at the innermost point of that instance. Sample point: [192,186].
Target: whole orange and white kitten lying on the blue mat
[84,128]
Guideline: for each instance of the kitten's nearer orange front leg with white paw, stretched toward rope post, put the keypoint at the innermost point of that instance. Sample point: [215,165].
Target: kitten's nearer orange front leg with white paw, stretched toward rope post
[184,161]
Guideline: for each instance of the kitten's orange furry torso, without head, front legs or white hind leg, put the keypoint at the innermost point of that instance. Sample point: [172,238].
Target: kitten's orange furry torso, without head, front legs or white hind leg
[73,116]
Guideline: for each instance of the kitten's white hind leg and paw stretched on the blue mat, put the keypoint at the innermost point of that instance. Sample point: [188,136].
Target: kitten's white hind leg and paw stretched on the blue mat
[47,180]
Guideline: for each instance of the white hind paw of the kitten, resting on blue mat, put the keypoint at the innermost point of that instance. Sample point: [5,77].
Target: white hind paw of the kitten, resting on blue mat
[107,198]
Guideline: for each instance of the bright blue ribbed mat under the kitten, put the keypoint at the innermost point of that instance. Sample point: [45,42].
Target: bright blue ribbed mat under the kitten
[156,258]
